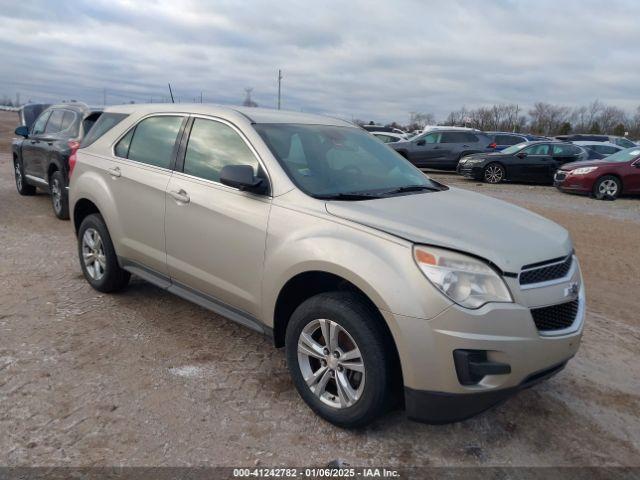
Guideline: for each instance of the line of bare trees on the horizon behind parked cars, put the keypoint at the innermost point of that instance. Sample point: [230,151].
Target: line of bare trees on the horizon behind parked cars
[542,119]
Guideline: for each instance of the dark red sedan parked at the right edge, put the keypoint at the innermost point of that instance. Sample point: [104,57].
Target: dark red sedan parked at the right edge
[609,177]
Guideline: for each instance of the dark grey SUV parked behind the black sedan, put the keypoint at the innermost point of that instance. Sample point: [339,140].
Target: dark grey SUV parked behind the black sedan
[442,149]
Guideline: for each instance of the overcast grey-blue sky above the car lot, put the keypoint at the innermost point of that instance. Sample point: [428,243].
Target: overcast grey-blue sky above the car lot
[368,59]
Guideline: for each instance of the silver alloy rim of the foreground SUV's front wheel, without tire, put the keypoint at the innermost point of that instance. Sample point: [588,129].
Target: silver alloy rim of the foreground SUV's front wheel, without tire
[331,363]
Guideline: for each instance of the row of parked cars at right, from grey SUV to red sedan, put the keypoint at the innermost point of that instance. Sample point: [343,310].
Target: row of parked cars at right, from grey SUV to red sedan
[601,165]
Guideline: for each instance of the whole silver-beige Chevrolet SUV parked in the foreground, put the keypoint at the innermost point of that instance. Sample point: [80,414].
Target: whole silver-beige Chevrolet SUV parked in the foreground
[385,287]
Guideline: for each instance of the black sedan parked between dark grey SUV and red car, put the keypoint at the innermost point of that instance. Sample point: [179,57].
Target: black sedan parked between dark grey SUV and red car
[534,162]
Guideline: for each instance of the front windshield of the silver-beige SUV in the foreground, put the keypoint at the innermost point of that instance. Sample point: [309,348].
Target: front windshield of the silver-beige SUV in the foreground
[325,161]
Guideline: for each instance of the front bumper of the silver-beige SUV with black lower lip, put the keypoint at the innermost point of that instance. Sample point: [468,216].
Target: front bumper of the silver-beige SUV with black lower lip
[505,333]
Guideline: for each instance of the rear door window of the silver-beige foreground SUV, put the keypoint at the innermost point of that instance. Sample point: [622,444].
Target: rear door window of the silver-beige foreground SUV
[152,141]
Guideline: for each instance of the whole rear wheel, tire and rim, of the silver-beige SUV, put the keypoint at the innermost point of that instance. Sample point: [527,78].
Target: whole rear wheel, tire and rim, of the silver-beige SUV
[97,256]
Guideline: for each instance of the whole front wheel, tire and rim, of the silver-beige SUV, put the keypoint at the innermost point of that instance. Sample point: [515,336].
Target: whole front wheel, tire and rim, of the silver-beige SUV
[338,359]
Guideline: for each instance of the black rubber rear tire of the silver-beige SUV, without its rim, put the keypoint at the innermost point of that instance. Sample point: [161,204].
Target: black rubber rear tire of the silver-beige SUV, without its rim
[113,277]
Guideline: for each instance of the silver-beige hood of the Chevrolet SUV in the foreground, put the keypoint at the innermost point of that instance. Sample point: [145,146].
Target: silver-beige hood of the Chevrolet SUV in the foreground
[507,235]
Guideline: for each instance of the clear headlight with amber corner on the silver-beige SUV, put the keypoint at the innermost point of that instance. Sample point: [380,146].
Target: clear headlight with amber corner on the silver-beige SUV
[465,280]
